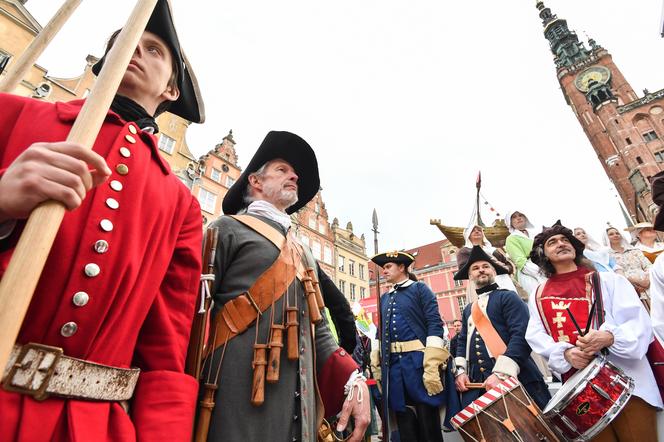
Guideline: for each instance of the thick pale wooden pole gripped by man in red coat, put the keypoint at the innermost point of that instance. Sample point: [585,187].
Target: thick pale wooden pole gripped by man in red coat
[19,281]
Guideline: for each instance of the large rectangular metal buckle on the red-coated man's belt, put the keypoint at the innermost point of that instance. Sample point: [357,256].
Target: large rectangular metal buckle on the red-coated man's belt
[35,364]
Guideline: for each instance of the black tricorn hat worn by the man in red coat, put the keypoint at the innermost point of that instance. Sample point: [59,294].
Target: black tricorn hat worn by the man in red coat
[189,104]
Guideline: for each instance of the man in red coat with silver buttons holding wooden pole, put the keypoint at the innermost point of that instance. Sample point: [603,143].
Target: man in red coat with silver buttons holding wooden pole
[117,295]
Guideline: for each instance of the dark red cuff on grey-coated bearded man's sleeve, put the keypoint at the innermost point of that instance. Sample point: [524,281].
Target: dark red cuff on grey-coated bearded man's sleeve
[332,378]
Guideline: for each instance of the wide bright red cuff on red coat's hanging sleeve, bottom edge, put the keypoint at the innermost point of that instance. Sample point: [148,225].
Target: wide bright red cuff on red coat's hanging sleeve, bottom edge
[164,406]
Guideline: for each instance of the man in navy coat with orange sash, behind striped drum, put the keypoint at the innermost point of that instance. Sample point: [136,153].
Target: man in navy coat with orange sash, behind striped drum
[508,315]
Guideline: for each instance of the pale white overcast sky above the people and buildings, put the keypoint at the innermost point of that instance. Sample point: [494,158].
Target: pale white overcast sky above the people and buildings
[403,101]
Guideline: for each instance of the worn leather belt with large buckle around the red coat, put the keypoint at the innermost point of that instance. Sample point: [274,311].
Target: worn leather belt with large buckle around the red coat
[41,370]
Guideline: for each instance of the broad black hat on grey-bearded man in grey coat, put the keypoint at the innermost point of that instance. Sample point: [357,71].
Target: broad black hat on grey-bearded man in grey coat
[290,148]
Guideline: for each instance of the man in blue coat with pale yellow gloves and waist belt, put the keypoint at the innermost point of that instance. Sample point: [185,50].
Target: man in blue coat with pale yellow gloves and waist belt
[413,350]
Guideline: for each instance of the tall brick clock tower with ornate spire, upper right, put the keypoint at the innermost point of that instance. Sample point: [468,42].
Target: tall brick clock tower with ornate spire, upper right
[626,131]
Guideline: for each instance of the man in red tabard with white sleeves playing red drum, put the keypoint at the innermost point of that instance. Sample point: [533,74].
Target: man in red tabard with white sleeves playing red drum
[624,328]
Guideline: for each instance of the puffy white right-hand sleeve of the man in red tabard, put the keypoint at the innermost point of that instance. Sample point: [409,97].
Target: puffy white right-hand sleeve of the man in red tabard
[626,317]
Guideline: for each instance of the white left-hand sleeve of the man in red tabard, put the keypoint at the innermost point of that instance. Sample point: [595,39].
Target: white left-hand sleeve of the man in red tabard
[542,343]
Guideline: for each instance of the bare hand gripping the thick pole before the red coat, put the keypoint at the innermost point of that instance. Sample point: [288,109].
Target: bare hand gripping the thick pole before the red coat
[49,171]
